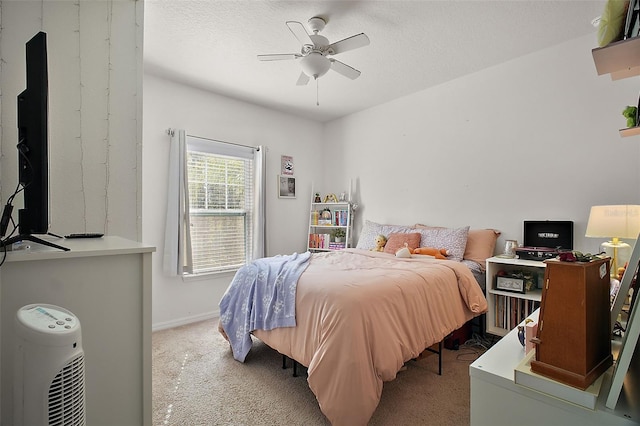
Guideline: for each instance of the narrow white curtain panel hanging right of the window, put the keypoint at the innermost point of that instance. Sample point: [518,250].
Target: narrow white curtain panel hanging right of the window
[260,219]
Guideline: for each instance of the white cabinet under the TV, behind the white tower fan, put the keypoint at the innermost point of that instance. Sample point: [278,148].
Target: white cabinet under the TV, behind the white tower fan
[106,283]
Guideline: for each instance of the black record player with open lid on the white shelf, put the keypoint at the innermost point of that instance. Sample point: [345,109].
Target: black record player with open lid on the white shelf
[545,239]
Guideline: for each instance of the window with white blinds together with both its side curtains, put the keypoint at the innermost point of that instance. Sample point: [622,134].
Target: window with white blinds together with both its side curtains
[215,206]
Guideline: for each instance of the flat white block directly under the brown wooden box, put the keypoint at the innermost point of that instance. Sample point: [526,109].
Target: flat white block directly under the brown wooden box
[523,376]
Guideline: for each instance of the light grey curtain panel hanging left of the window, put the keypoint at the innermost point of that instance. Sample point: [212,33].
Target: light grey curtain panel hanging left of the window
[177,237]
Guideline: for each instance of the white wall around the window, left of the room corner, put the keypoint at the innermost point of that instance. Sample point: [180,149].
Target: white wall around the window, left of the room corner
[169,104]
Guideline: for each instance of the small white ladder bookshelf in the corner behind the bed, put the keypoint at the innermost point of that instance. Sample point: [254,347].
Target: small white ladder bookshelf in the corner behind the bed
[330,226]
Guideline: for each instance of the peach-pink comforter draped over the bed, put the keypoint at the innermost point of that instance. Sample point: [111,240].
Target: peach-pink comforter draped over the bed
[361,315]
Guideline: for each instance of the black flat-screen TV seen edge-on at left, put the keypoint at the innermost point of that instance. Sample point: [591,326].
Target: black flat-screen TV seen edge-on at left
[33,164]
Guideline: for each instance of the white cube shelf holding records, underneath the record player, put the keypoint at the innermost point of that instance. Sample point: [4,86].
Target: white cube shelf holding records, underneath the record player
[506,309]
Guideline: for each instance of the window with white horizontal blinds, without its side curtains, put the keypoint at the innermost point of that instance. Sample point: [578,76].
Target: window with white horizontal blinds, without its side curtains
[221,198]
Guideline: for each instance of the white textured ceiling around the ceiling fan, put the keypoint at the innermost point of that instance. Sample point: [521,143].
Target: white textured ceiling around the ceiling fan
[415,45]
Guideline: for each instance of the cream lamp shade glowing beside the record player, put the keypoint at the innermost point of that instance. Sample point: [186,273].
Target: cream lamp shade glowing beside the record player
[621,221]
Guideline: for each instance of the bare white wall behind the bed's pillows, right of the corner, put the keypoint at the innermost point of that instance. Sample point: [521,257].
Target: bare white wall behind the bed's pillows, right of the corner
[532,139]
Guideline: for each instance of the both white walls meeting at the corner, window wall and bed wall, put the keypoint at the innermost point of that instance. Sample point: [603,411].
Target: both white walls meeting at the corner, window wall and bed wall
[532,139]
